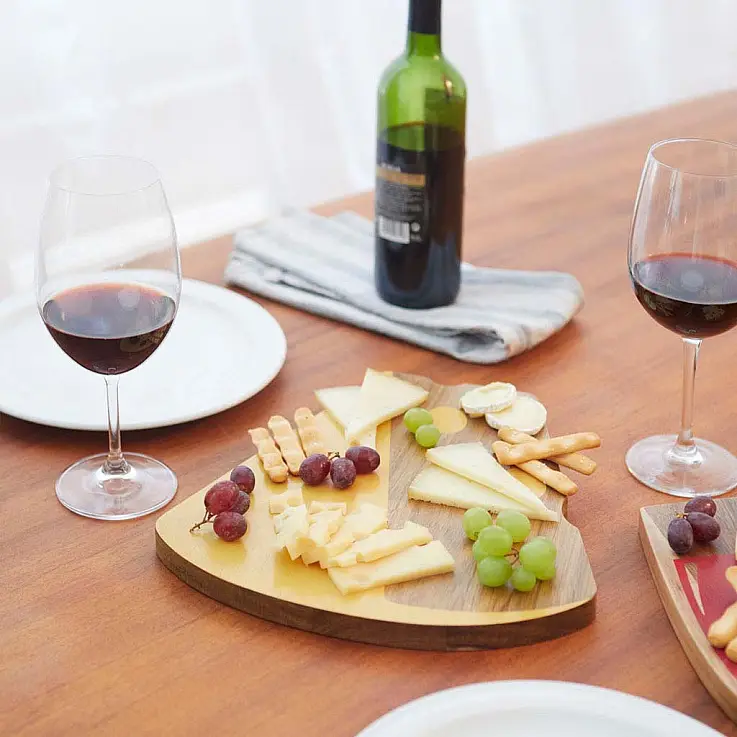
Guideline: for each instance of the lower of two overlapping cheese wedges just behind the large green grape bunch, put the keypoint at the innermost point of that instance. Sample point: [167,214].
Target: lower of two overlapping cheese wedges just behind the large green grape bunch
[438,486]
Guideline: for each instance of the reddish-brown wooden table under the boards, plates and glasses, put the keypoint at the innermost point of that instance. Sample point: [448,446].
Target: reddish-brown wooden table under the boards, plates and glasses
[96,637]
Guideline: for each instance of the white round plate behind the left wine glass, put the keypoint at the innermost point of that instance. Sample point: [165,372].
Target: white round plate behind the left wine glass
[222,349]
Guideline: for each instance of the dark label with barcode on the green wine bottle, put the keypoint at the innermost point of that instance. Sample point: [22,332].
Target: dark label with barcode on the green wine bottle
[401,197]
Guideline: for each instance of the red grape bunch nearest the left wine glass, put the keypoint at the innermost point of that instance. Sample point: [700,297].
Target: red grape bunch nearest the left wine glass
[226,504]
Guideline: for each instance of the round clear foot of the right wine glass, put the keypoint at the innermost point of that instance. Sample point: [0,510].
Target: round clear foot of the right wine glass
[711,472]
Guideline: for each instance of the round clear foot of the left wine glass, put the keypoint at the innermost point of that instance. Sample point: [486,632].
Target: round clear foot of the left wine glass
[86,489]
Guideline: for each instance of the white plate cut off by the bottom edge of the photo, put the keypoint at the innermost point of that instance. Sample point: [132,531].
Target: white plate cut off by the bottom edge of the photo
[534,709]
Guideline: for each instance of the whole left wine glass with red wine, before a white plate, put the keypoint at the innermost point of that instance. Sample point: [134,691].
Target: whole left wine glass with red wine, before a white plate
[102,212]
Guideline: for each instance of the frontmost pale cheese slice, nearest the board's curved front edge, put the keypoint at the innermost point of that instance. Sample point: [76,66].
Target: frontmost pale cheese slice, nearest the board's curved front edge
[416,562]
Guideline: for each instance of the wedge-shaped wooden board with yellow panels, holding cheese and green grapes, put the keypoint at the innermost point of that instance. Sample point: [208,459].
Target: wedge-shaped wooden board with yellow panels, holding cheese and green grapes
[451,611]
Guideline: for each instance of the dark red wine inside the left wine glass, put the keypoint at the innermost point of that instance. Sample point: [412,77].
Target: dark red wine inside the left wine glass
[109,328]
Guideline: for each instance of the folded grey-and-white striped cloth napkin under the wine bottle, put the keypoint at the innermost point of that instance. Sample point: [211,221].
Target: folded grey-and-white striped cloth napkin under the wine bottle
[325,266]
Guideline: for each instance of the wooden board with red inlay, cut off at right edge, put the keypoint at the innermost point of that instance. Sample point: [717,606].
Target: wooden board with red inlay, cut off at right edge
[695,592]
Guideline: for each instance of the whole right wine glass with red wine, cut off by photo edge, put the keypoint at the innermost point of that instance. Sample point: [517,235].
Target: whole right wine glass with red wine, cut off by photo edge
[683,265]
